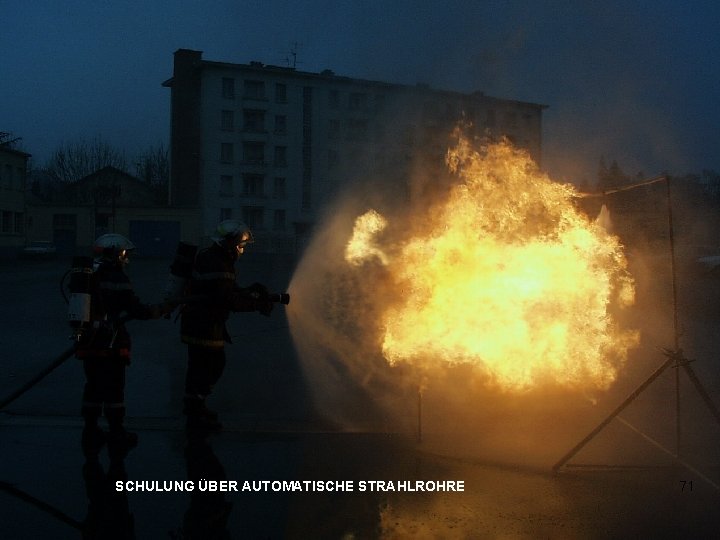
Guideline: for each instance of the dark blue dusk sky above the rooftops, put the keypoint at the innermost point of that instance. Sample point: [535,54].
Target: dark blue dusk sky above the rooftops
[637,82]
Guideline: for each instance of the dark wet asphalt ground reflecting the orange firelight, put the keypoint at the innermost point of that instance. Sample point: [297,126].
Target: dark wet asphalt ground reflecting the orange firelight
[272,434]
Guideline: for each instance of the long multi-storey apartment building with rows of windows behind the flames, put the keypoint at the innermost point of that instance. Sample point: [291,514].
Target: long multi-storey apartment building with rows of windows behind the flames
[273,145]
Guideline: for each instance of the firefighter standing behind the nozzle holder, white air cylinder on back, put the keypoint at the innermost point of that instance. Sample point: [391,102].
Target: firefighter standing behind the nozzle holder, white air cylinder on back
[104,347]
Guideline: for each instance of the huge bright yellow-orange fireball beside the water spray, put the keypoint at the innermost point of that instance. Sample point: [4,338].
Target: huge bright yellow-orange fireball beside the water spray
[507,276]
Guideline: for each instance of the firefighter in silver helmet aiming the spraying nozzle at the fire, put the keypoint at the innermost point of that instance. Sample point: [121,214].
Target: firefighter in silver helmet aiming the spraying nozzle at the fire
[202,325]
